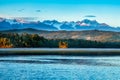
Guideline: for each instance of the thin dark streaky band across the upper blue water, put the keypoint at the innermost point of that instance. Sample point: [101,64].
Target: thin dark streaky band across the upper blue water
[92,62]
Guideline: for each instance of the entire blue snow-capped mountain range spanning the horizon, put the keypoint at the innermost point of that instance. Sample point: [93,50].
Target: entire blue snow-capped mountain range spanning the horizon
[54,25]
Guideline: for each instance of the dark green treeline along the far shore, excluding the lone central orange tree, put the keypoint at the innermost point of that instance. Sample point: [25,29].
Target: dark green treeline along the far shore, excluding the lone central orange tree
[14,40]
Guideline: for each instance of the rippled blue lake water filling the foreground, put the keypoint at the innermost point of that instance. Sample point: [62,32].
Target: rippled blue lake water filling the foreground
[47,67]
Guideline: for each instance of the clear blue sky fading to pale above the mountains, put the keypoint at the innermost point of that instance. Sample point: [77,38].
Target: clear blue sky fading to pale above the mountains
[104,11]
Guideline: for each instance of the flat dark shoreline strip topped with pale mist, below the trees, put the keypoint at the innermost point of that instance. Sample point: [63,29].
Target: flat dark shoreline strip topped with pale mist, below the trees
[60,51]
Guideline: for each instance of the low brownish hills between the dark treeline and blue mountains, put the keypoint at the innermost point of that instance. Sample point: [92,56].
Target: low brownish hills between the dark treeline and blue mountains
[93,35]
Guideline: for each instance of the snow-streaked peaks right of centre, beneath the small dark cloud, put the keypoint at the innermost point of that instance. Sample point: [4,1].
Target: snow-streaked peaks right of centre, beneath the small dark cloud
[73,25]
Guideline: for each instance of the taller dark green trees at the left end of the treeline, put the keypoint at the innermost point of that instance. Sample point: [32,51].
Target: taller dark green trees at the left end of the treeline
[23,40]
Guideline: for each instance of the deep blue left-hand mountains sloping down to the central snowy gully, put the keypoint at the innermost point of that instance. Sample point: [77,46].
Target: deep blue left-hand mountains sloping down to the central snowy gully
[9,24]
